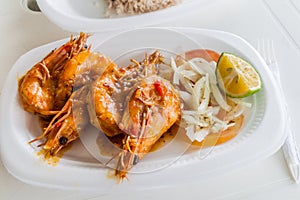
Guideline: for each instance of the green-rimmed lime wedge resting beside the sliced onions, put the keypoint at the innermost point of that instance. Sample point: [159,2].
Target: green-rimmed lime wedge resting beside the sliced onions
[237,77]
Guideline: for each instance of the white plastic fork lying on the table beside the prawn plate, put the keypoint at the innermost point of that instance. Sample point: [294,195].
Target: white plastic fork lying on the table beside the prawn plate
[290,150]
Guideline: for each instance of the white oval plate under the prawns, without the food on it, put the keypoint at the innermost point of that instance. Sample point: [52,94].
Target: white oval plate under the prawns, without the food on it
[260,137]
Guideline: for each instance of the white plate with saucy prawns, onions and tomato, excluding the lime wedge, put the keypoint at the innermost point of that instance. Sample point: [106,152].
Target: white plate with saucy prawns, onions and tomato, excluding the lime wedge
[121,112]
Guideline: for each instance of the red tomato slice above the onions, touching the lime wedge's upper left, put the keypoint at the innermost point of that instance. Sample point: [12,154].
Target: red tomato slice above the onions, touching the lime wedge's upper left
[207,54]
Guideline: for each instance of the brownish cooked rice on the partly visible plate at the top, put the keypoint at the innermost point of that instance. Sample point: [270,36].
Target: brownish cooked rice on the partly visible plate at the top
[120,7]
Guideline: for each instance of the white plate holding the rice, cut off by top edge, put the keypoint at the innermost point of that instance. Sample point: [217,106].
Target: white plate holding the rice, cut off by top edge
[88,15]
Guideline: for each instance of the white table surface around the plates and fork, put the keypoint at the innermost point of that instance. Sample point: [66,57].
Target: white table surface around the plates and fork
[279,20]
